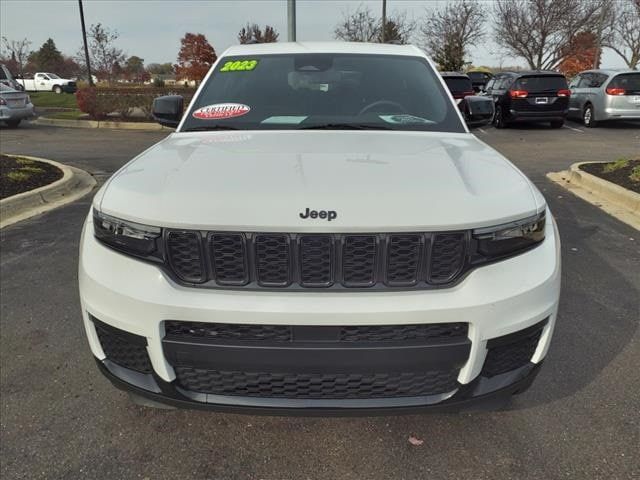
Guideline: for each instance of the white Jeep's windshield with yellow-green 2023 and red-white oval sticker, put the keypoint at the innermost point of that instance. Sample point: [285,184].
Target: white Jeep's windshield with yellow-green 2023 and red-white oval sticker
[339,91]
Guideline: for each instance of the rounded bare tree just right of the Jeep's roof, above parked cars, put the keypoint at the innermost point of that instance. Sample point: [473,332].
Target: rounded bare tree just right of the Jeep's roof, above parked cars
[449,31]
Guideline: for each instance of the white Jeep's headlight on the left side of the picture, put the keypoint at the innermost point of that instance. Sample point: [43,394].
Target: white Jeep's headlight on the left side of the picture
[128,237]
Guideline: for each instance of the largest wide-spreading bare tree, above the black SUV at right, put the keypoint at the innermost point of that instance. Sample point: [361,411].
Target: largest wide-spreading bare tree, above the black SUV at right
[538,30]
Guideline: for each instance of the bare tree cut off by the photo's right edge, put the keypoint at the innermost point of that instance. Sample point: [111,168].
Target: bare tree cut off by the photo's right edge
[624,38]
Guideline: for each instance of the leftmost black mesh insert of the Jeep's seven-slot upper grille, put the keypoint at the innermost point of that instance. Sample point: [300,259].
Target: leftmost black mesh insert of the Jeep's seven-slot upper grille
[185,255]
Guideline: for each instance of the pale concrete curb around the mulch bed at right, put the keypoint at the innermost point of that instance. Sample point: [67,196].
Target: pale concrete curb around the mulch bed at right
[613,199]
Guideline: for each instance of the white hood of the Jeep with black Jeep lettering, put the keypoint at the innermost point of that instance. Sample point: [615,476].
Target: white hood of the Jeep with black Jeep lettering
[374,181]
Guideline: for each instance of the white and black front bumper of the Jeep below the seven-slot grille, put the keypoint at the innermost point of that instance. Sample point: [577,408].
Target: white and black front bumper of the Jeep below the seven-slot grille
[508,301]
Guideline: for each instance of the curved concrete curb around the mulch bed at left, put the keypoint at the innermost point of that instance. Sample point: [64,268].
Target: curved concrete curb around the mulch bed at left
[74,184]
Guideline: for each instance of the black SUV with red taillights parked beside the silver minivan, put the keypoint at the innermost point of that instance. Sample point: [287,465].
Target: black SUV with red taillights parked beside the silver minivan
[531,96]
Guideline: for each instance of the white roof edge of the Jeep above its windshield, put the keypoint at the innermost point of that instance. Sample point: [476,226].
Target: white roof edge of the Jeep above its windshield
[324,47]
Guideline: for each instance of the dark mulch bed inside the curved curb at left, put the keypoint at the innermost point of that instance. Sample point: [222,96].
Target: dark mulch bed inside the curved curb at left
[19,175]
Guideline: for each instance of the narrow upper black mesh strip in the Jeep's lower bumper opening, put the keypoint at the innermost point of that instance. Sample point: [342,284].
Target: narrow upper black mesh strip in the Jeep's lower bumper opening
[289,333]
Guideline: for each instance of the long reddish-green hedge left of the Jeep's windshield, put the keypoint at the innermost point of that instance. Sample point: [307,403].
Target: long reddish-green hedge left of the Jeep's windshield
[99,102]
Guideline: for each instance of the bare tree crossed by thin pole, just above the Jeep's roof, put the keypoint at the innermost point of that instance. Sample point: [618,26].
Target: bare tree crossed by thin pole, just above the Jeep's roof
[364,26]
